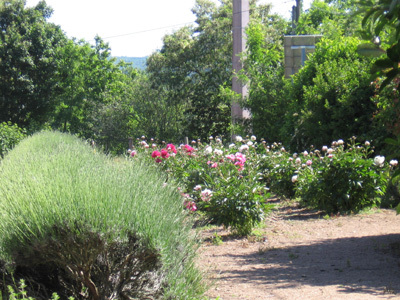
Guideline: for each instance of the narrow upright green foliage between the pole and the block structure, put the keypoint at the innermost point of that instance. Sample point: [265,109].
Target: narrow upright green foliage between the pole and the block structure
[264,70]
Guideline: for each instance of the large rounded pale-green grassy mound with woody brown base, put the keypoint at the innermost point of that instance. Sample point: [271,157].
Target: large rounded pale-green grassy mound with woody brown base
[85,225]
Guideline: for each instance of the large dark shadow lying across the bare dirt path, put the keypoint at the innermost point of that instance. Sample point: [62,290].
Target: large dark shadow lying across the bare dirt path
[363,264]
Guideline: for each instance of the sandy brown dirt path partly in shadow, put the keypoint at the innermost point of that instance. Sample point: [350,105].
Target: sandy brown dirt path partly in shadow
[301,255]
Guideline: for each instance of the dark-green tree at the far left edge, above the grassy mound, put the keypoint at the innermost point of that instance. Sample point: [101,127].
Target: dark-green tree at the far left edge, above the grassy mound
[29,52]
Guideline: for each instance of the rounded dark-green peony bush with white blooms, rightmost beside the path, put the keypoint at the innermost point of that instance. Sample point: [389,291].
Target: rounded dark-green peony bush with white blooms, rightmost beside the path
[343,179]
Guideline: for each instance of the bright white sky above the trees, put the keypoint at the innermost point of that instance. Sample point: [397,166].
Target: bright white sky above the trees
[133,28]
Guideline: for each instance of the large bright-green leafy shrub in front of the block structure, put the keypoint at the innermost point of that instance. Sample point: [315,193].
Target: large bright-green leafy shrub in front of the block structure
[330,97]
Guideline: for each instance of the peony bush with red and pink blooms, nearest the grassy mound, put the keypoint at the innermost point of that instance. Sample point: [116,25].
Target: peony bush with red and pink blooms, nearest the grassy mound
[222,182]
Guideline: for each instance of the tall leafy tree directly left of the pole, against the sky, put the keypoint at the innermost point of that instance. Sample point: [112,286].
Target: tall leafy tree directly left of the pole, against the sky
[193,70]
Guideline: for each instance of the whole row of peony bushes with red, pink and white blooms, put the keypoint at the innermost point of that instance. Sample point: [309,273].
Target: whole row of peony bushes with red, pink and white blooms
[229,183]
